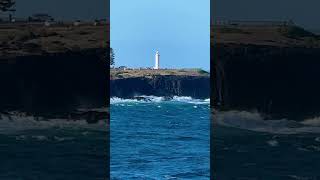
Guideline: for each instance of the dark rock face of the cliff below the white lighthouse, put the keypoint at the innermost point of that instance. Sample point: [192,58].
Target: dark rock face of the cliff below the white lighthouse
[193,86]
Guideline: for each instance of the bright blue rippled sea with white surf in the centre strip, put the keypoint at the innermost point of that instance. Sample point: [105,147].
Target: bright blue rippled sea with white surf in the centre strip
[160,139]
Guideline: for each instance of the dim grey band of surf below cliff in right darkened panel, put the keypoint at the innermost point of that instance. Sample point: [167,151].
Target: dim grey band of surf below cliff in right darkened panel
[255,122]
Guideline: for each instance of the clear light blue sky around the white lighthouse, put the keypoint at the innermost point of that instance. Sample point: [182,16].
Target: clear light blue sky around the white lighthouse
[179,29]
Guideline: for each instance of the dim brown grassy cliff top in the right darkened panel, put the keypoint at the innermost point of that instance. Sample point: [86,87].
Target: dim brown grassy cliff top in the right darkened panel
[281,35]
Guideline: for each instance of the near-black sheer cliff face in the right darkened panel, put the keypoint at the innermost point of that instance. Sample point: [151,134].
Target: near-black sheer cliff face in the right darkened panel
[279,82]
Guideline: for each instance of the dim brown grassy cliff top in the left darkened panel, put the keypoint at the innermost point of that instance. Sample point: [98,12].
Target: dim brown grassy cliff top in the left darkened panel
[20,39]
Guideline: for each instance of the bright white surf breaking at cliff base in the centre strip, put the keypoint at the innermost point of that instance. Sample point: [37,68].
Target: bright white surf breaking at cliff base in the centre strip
[157,99]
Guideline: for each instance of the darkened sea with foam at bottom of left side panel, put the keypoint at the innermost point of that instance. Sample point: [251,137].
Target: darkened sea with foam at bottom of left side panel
[52,149]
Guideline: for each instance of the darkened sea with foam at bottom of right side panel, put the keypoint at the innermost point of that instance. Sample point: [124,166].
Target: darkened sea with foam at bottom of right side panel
[246,147]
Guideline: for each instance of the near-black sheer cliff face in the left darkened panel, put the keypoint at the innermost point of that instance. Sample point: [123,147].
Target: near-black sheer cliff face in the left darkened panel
[54,83]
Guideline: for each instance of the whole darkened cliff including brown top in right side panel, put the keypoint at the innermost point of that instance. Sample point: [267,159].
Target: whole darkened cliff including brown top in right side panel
[272,70]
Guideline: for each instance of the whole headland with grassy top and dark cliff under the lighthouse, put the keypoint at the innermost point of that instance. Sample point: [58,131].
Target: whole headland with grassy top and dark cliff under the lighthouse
[165,83]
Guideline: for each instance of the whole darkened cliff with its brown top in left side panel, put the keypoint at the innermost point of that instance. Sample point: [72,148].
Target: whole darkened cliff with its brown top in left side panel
[52,71]
